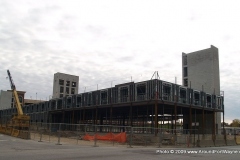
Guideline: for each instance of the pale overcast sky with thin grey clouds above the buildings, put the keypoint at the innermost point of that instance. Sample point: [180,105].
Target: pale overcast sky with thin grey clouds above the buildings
[109,42]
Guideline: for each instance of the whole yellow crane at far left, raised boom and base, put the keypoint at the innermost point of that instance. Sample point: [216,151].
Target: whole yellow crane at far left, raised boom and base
[19,124]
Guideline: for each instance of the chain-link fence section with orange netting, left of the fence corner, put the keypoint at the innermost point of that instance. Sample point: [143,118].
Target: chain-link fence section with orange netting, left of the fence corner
[82,134]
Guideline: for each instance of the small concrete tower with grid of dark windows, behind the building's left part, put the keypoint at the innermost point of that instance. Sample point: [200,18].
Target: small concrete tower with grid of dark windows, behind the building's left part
[64,85]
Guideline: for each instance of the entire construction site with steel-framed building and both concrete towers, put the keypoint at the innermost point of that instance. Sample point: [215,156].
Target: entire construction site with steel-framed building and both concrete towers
[154,107]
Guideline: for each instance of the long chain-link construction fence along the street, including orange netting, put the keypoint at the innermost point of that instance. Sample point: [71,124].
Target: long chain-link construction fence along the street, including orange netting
[109,135]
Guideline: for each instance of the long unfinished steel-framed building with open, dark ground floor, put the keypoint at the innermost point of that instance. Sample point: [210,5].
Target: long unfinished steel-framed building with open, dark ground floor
[151,103]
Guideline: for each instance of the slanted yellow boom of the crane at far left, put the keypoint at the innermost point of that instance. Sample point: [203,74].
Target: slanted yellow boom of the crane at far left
[13,87]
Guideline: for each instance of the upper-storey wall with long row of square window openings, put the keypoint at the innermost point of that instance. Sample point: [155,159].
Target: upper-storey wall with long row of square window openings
[142,91]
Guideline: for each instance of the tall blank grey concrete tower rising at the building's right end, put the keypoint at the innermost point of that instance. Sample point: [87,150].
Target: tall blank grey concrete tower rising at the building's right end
[200,70]
